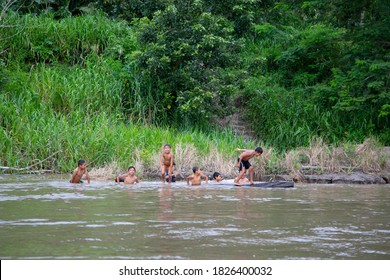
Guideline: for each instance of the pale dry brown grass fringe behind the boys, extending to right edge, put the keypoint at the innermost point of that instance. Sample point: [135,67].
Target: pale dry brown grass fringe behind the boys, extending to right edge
[318,158]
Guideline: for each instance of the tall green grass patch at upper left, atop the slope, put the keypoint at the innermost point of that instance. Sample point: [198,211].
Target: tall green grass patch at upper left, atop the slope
[34,39]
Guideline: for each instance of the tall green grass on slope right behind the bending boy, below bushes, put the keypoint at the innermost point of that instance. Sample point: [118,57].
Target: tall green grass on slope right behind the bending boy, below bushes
[284,119]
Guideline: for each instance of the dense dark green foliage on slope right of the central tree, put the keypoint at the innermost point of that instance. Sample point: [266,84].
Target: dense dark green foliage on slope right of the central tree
[318,76]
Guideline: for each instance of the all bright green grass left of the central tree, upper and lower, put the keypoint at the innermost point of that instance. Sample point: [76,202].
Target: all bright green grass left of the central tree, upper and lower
[57,98]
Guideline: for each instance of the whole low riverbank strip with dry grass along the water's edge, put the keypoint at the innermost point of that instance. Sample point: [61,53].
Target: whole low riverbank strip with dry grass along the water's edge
[366,163]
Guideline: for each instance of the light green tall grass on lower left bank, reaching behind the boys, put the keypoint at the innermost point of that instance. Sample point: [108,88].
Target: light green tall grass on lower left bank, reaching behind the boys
[76,112]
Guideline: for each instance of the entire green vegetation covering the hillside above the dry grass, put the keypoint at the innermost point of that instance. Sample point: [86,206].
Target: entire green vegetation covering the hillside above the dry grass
[85,77]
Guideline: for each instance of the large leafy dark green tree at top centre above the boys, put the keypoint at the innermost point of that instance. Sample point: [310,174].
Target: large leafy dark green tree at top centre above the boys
[186,49]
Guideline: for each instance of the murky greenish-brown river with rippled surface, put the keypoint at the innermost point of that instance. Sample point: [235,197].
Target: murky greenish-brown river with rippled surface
[48,218]
